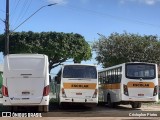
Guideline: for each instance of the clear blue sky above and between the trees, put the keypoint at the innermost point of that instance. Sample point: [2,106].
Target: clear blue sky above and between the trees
[86,17]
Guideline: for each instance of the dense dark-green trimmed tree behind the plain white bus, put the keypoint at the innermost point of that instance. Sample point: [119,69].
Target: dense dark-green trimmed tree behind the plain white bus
[58,46]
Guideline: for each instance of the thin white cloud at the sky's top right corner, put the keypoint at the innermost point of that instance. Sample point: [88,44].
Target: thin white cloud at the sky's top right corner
[147,2]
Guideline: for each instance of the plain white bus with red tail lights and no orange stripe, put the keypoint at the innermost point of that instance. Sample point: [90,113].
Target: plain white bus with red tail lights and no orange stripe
[26,81]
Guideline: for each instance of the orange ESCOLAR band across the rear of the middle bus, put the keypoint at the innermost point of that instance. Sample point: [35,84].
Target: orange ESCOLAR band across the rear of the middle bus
[79,85]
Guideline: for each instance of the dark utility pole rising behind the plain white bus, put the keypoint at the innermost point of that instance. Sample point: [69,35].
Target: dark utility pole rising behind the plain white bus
[7,28]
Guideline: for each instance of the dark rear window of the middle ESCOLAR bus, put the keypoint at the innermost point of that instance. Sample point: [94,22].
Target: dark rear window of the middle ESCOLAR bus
[80,71]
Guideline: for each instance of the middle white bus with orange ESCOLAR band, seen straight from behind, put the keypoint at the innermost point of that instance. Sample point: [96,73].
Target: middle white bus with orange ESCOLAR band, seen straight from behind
[78,83]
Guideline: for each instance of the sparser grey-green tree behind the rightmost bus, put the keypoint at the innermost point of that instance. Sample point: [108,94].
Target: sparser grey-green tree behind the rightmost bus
[126,47]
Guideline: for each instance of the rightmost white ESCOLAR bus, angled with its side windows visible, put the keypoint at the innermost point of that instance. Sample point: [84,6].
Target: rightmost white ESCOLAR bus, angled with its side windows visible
[129,83]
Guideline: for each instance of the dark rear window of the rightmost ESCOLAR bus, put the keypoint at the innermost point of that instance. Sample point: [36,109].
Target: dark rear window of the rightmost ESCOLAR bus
[138,71]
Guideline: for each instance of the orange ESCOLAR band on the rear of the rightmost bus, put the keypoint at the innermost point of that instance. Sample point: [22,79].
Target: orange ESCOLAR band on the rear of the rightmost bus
[140,85]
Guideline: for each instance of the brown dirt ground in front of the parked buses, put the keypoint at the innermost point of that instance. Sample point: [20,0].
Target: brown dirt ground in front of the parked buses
[100,112]
